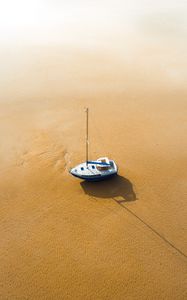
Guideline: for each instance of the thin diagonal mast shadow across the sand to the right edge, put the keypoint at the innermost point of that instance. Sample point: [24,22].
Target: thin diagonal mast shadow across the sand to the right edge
[152,229]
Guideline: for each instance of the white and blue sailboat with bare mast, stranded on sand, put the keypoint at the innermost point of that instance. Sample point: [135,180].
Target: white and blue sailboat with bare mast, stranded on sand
[94,170]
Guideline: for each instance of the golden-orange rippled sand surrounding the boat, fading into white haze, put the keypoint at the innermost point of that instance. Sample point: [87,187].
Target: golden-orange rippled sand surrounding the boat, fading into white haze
[66,239]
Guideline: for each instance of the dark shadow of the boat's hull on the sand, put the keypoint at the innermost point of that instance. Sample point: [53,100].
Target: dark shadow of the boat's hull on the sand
[116,187]
